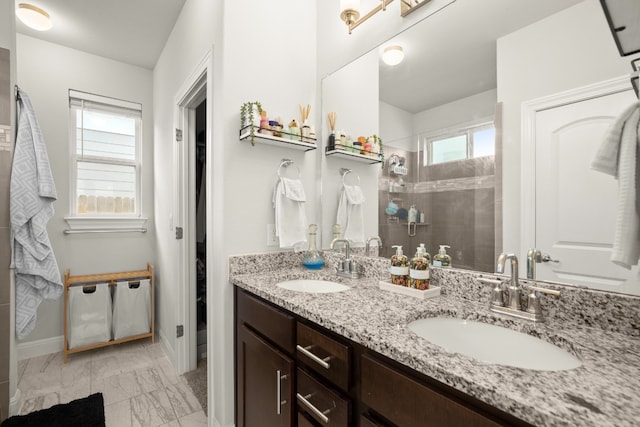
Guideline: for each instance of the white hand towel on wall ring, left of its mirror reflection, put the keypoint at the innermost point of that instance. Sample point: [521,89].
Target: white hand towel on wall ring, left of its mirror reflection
[290,215]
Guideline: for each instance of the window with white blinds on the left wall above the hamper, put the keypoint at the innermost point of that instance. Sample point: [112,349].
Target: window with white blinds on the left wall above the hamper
[105,145]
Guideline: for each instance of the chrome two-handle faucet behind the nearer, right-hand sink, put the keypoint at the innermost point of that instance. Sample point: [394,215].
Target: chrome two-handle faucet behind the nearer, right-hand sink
[508,301]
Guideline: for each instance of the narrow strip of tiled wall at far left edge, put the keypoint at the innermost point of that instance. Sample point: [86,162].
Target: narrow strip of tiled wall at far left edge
[6,151]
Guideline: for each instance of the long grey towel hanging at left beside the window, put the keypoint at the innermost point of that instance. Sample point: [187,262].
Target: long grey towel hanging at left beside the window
[32,193]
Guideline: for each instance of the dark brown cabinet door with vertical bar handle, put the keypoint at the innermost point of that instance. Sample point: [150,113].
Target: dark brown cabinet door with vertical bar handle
[264,383]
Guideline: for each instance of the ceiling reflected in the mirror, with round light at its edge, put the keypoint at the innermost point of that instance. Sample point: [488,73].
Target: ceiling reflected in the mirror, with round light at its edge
[452,55]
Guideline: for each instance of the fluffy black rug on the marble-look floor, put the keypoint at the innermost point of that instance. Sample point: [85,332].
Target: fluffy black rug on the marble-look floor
[85,412]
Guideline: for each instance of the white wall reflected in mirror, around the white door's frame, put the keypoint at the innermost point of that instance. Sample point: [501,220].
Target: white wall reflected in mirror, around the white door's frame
[570,49]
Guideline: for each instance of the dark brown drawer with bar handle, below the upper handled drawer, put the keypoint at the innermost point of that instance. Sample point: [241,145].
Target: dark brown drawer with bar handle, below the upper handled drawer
[322,404]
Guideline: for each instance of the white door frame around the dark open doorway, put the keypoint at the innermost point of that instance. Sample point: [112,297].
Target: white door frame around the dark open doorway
[196,88]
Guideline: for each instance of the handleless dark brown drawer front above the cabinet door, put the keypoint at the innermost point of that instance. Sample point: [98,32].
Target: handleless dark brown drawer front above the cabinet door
[279,327]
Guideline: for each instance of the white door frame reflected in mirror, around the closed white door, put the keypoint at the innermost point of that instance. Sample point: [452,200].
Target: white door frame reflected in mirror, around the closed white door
[528,150]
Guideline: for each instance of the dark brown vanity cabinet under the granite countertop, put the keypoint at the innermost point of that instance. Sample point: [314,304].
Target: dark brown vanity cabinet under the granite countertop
[290,372]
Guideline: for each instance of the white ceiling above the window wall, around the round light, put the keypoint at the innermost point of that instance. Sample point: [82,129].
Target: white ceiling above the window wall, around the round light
[130,31]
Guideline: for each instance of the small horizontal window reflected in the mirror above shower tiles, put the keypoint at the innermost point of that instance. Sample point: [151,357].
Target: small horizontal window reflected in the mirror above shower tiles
[463,144]
